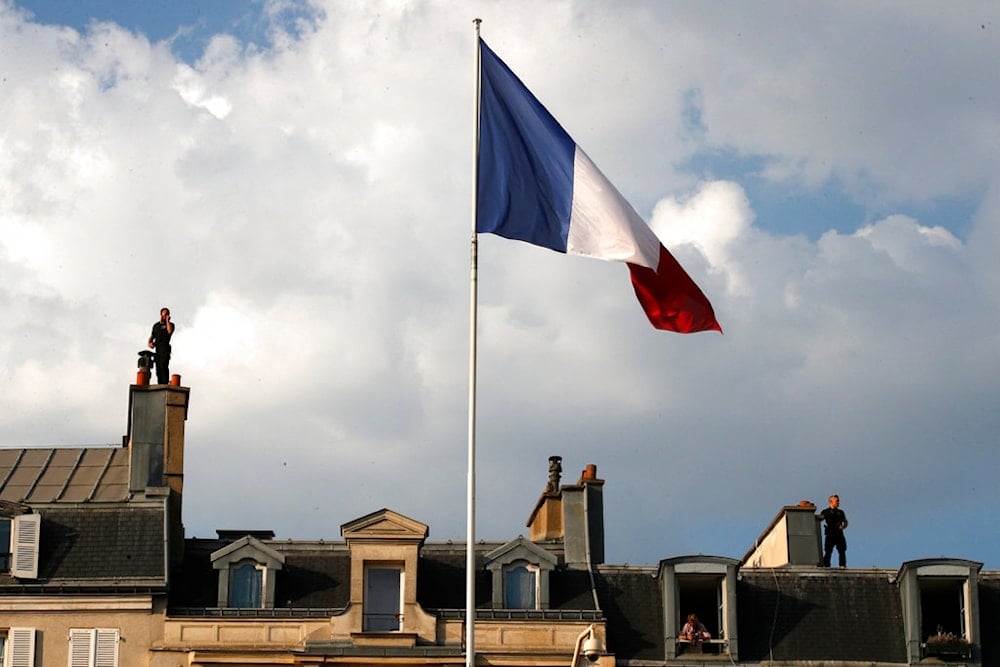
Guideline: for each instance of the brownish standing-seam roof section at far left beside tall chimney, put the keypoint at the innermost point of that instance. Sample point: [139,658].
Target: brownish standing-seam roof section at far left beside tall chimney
[64,475]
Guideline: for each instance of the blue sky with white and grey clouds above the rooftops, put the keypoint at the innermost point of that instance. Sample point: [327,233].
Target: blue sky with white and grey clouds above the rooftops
[295,182]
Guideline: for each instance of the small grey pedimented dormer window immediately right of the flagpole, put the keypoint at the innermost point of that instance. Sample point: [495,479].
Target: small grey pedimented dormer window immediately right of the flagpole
[520,575]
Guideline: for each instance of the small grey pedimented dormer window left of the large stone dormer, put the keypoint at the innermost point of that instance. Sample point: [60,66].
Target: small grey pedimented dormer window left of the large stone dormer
[247,572]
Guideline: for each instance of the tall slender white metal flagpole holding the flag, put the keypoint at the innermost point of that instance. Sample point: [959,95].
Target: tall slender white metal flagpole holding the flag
[470,529]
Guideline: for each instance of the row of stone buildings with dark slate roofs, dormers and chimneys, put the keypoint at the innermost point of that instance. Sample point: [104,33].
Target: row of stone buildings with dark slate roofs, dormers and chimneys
[95,571]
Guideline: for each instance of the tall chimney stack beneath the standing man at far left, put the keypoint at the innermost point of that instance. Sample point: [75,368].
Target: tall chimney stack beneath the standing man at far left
[155,439]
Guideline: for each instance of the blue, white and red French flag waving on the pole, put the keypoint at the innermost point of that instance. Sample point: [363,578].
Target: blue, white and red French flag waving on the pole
[536,185]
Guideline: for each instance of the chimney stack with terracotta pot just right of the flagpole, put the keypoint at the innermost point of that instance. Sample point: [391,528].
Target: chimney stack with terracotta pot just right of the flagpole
[575,514]
